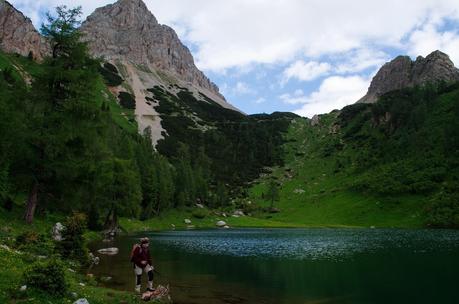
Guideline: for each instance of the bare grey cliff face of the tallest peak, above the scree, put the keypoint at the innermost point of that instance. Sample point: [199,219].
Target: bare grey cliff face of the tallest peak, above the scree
[127,30]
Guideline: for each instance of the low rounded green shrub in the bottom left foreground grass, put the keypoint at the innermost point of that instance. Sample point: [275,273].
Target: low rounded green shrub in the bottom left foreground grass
[47,276]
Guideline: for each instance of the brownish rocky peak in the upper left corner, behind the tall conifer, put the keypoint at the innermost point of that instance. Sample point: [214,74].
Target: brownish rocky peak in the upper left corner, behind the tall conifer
[18,35]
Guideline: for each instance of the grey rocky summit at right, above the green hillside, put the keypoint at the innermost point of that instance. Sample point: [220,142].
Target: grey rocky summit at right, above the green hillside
[402,72]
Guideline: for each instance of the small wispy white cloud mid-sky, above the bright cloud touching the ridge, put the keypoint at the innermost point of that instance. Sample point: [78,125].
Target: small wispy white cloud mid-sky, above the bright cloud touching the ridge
[305,71]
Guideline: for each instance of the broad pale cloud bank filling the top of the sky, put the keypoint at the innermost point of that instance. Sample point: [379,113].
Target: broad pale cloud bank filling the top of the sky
[239,32]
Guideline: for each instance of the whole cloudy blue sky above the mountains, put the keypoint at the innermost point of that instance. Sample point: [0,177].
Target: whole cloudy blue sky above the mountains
[304,56]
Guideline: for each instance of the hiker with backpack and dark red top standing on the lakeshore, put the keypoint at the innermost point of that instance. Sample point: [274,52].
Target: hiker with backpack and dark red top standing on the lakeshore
[141,259]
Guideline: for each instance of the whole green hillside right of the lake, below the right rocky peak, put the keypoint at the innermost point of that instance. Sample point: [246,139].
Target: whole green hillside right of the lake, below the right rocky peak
[391,164]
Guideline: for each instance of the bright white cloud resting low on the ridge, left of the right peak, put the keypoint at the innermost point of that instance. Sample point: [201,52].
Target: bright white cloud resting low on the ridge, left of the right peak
[335,92]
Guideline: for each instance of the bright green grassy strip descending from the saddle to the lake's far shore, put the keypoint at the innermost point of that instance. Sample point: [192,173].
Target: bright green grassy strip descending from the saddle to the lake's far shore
[327,199]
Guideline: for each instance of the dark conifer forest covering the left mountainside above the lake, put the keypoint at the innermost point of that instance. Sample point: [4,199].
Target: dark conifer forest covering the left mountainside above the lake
[66,147]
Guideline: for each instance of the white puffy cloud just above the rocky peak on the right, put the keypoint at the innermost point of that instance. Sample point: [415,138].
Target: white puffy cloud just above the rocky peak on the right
[429,38]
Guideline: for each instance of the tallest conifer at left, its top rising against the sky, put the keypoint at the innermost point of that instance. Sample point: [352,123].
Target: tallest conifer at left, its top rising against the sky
[63,115]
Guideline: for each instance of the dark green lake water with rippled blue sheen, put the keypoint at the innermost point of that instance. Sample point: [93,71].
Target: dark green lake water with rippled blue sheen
[296,265]
